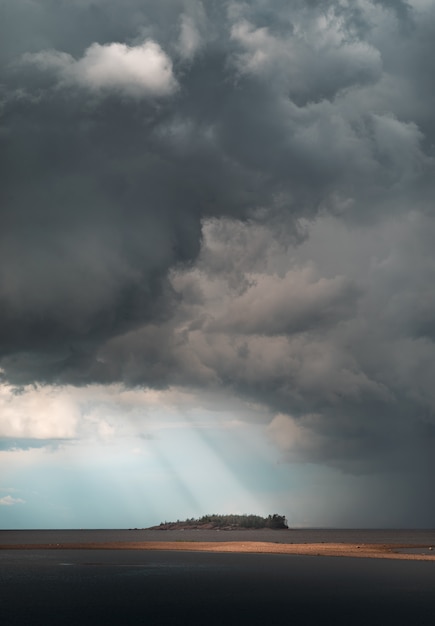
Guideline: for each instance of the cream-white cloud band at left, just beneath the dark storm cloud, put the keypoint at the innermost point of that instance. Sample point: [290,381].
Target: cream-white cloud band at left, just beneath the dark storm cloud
[107,414]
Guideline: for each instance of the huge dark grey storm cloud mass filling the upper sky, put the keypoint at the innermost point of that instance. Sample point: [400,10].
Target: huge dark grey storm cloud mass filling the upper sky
[165,165]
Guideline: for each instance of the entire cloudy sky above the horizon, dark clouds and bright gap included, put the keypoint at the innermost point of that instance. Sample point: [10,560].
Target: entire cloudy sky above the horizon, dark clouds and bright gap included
[216,261]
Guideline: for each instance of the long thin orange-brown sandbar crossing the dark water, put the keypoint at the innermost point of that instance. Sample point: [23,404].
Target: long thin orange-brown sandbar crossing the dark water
[373,551]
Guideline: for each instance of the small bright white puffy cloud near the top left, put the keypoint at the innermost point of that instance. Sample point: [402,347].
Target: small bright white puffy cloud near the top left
[136,71]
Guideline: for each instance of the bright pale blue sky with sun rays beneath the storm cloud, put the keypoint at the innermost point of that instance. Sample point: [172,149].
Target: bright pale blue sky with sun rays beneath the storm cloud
[159,461]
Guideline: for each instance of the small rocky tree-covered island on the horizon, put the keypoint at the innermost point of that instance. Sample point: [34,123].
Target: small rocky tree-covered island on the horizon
[226,522]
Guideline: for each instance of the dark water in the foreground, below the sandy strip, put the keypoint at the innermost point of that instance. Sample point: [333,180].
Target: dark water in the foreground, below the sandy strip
[84,587]
